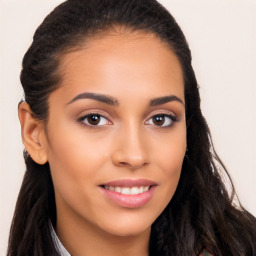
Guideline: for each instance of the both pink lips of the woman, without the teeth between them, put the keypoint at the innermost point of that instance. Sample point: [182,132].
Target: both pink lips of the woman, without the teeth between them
[129,201]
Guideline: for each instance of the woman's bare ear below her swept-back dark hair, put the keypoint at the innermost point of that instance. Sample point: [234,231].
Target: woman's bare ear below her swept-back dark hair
[33,134]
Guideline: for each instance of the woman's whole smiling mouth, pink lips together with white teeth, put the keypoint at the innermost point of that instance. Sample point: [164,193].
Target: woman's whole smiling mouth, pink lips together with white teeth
[129,193]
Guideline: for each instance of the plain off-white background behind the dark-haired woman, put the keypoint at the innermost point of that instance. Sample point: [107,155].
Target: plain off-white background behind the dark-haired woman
[222,37]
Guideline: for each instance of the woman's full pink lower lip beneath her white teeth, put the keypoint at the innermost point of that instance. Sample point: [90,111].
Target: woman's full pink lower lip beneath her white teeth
[130,201]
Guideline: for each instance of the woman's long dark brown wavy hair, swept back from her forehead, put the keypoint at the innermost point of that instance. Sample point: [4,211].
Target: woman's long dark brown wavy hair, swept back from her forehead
[202,213]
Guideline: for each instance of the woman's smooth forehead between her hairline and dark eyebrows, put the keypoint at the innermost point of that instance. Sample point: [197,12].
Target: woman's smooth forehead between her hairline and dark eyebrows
[117,62]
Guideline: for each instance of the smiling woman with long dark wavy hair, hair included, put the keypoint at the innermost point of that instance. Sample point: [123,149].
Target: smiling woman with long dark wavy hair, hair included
[117,150]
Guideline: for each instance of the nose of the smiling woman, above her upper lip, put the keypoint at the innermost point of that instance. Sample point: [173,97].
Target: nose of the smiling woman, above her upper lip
[131,149]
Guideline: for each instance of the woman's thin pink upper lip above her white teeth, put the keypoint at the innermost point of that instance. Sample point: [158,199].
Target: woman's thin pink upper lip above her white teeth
[130,183]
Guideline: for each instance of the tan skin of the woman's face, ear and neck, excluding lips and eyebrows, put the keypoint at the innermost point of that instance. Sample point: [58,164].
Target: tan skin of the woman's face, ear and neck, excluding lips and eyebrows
[133,68]
